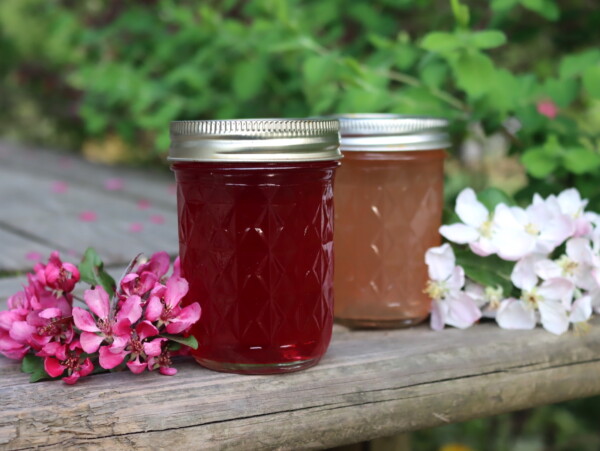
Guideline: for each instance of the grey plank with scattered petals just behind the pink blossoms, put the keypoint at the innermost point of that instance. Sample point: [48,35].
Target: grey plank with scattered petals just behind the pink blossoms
[112,223]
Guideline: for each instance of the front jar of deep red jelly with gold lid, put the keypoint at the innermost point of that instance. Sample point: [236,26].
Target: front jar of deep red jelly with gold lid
[255,204]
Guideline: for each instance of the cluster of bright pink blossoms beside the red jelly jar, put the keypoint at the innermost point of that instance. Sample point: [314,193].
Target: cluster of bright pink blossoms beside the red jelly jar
[137,324]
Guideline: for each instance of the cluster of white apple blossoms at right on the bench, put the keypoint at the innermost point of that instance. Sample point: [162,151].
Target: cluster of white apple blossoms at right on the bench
[552,247]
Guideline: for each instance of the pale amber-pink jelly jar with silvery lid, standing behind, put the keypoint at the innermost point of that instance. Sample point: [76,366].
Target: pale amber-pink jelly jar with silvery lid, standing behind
[389,200]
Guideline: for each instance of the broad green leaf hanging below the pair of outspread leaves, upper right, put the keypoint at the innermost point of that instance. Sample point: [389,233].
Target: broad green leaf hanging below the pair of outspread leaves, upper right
[474,73]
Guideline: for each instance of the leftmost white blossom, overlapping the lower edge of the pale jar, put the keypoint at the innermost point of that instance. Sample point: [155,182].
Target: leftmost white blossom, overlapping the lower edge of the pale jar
[450,305]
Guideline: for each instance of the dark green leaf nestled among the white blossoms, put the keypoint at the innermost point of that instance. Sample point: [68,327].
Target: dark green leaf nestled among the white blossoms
[489,271]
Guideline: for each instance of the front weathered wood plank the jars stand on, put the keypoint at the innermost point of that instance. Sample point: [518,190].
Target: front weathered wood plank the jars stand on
[370,384]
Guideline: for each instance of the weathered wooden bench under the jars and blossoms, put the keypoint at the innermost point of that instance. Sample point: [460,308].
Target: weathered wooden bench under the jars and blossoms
[370,383]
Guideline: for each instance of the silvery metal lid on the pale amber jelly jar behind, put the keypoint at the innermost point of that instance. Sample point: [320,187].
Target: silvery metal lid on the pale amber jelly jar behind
[392,132]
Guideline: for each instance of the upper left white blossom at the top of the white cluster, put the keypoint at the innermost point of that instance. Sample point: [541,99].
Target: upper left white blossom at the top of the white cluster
[477,228]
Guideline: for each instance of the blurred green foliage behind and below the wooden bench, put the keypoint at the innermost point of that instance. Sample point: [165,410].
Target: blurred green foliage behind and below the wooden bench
[76,73]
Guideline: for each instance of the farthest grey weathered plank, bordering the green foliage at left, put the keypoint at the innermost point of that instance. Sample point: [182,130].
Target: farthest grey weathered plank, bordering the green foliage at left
[152,184]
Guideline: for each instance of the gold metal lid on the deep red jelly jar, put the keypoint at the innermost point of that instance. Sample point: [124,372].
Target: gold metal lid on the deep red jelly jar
[255,140]
